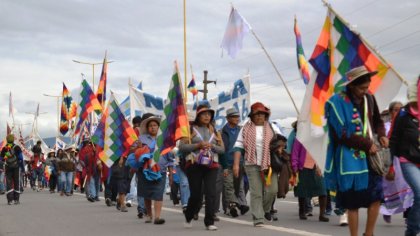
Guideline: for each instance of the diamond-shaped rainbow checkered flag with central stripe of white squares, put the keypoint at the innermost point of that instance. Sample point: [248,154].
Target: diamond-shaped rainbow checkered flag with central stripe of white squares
[114,135]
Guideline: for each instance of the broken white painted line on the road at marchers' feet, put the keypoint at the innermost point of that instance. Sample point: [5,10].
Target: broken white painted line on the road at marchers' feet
[243,222]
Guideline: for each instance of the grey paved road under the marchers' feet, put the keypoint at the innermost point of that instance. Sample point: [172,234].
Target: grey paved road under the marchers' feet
[44,214]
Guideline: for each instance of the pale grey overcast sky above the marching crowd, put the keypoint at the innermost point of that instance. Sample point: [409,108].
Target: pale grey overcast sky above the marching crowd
[39,39]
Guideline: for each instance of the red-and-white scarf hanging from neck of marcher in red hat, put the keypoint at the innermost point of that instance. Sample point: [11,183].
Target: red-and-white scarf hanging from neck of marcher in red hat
[250,146]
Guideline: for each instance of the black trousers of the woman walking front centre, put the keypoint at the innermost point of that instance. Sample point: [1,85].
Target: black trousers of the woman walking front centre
[201,177]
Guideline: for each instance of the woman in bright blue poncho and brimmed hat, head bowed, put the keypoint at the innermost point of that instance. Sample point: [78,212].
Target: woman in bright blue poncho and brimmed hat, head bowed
[349,113]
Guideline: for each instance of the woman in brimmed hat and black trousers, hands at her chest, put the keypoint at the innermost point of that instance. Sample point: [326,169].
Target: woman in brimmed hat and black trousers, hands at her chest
[202,165]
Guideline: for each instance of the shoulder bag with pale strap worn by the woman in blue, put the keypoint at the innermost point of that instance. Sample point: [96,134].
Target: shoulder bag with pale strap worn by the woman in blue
[379,162]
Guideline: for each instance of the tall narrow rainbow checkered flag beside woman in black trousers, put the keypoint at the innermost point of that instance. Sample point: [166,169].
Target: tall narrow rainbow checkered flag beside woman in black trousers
[174,124]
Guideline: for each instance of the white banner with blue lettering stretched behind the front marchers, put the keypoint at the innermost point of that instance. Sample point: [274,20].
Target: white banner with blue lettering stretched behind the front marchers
[239,96]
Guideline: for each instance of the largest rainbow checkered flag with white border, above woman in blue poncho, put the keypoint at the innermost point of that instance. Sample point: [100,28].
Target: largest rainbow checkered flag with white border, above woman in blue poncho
[338,50]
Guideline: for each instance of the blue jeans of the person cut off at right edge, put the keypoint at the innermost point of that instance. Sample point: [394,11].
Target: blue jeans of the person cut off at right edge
[411,175]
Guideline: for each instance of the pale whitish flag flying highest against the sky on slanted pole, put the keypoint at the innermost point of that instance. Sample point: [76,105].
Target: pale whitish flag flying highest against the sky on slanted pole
[236,30]
